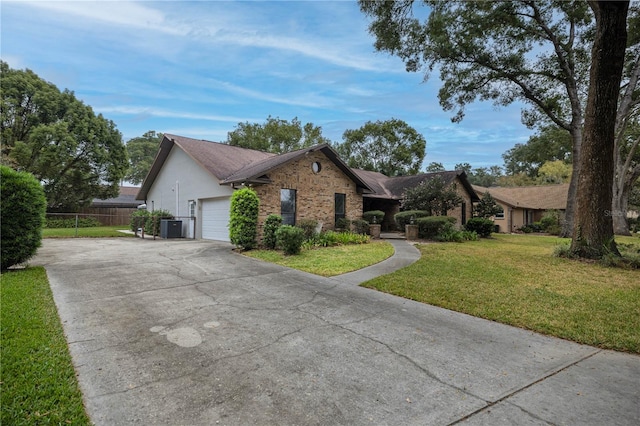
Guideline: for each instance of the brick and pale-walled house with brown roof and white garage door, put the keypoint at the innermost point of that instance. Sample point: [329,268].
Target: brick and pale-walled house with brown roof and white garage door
[194,179]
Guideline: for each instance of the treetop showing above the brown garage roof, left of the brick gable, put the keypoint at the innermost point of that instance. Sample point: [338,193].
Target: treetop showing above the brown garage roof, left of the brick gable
[276,135]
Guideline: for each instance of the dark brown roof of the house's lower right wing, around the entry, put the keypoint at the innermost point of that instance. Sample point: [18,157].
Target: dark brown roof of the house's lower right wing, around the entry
[394,187]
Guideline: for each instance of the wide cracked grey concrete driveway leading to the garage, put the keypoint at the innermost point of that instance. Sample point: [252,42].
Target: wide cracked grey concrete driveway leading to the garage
[183,332]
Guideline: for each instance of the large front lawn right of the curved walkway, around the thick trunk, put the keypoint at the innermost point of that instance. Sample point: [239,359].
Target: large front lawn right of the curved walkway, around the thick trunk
[514,279]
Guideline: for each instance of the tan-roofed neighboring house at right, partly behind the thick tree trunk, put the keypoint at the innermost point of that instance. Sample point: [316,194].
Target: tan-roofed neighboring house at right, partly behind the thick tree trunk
[524,205]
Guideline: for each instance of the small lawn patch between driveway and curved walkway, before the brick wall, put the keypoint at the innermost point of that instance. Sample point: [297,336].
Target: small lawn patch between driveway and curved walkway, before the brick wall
[329,261]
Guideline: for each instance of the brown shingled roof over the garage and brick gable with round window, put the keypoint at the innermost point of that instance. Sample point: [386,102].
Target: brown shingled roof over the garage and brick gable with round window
[232,164]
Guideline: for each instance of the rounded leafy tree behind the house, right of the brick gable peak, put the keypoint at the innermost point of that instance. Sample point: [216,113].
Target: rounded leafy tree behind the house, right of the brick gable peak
[390,147]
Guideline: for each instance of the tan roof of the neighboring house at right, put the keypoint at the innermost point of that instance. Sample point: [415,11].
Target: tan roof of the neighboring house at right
[540,197]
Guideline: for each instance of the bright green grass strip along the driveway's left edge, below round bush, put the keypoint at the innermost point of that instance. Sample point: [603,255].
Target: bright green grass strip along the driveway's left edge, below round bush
[38,379]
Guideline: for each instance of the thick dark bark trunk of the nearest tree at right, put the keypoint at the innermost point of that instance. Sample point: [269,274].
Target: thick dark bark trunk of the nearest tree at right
[593,227]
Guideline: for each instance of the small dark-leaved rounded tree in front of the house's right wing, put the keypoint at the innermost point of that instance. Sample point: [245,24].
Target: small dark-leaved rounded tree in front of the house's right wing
[432,196]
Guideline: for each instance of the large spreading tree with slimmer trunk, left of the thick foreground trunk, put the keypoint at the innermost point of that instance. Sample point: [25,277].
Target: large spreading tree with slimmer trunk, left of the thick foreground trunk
[503,51]
